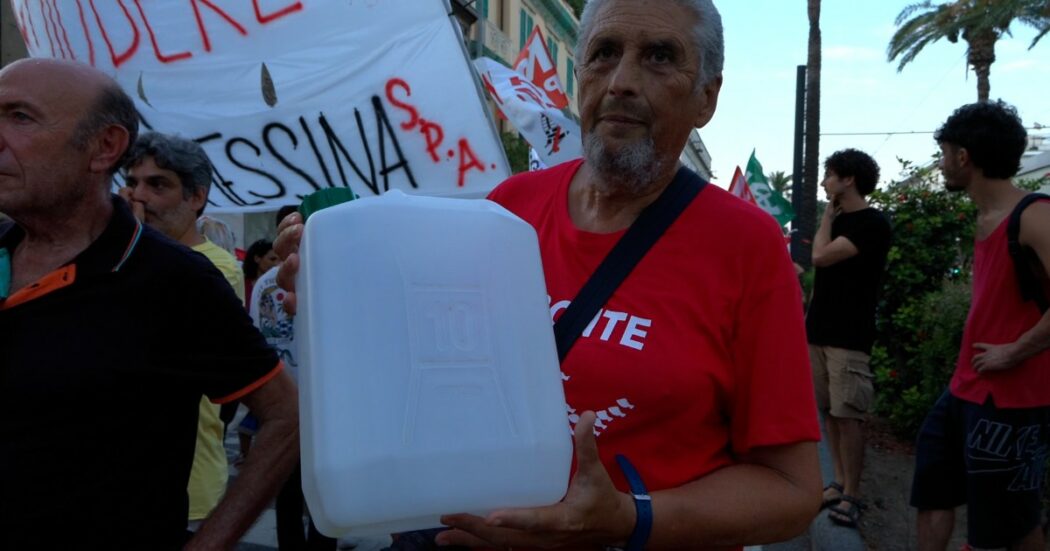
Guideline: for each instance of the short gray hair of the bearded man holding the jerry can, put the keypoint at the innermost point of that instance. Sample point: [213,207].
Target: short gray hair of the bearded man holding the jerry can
[707,36]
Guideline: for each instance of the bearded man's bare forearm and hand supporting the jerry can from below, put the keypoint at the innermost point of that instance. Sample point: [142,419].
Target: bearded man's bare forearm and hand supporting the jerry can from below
[771,496]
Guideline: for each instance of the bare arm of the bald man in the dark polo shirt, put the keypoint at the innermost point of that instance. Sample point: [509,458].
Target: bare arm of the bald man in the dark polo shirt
[275,454]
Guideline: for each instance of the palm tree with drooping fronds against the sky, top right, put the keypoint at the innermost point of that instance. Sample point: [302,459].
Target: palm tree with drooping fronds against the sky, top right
[980,24]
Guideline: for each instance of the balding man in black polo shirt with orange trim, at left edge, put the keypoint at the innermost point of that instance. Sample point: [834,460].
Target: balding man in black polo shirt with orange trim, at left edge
[96,313]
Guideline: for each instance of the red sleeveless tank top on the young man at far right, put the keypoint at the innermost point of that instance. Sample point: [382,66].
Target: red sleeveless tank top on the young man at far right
[999,316]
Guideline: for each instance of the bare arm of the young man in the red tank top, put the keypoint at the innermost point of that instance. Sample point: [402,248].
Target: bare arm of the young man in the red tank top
[1035,234]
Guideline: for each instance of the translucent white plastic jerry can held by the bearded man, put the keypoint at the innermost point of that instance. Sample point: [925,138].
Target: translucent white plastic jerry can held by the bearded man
[430,382]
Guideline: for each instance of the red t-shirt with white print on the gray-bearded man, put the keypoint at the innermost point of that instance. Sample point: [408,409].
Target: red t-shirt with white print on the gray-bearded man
[700,355]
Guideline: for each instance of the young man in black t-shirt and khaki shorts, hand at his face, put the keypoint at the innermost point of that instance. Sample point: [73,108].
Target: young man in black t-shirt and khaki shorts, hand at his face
[850,255]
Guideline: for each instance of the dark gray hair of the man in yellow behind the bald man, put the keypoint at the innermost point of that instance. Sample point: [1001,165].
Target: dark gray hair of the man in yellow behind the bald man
[185,158]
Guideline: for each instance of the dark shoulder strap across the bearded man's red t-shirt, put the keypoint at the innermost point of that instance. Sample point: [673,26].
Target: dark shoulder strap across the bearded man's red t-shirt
[624,257]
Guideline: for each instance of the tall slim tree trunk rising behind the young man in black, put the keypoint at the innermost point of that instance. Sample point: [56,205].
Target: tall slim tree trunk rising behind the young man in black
[807,217]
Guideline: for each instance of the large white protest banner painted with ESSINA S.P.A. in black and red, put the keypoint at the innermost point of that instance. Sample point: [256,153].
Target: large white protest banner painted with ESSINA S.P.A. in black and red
[289,97]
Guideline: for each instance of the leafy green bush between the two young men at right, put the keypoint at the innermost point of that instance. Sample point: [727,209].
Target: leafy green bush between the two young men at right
[926,295]
